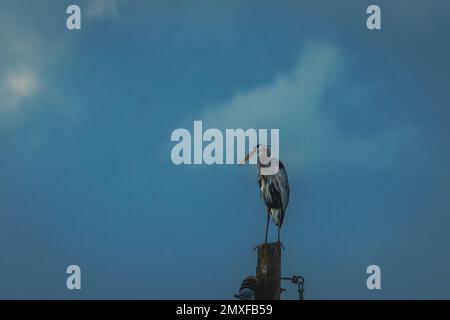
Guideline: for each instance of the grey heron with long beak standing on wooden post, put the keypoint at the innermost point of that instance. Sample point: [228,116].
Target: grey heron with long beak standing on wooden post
[273,186]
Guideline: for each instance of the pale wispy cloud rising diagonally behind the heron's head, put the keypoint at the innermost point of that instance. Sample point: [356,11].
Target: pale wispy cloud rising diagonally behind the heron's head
[293,102]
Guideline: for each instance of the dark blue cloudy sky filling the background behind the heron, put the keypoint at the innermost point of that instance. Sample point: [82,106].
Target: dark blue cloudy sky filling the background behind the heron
[86,117]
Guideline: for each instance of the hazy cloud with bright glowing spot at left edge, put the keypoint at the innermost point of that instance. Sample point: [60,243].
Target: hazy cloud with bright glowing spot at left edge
[30,54]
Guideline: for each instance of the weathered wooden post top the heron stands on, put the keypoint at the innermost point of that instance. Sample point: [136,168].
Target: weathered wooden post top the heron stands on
[268,271]
